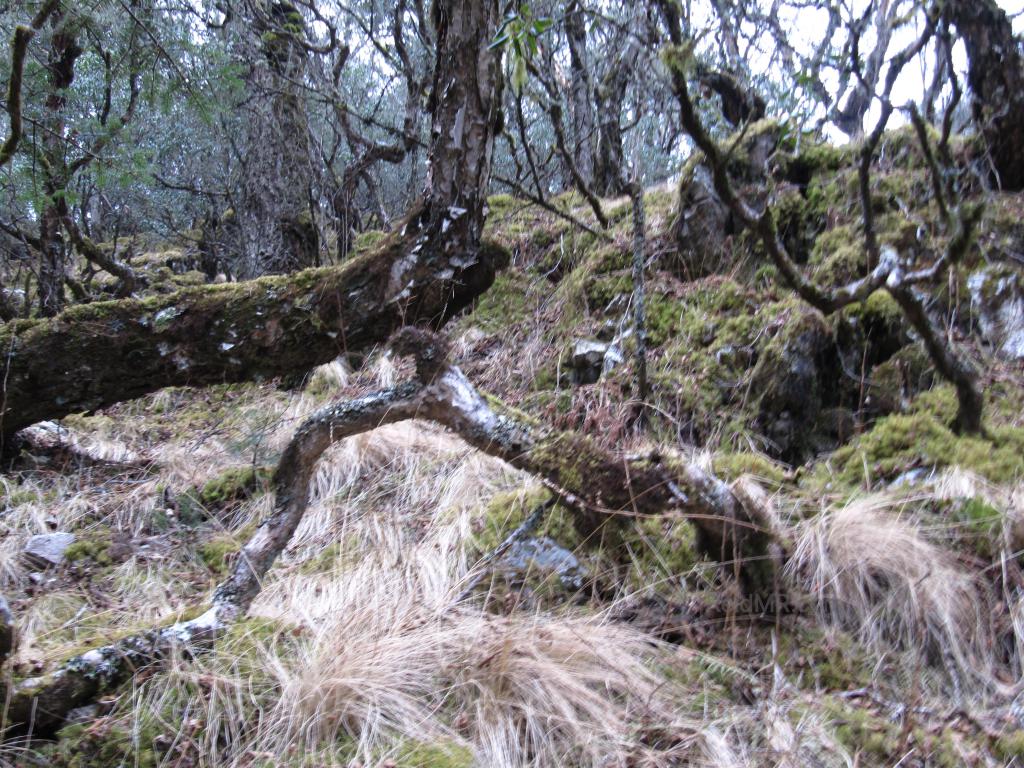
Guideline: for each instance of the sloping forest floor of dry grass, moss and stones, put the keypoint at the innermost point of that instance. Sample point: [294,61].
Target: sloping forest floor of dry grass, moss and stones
[387,636]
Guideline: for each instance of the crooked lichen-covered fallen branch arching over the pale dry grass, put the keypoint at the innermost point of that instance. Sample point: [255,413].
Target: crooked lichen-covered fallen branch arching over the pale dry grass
[598,486]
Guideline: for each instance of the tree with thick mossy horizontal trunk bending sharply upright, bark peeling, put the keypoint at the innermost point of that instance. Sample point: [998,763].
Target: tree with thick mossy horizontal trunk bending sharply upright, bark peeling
[425,273]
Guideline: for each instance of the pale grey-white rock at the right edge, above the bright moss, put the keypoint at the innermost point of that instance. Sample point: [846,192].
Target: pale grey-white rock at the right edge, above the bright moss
[998,294]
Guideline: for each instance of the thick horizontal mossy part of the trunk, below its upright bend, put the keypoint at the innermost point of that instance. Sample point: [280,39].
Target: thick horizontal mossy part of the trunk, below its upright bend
[94,356]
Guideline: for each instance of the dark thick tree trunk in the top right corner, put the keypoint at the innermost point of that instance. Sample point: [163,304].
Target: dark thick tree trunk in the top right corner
[997,78]
